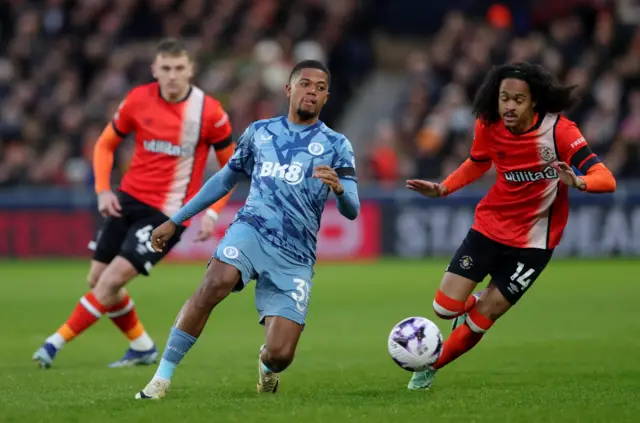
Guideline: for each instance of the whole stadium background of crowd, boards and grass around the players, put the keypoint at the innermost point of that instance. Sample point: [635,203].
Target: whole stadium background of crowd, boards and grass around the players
[404,73]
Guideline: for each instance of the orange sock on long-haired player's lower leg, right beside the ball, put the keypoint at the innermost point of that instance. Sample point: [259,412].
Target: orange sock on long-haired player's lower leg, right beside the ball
[464,338]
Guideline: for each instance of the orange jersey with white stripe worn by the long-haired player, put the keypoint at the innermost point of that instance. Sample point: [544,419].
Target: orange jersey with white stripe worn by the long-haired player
[527,207]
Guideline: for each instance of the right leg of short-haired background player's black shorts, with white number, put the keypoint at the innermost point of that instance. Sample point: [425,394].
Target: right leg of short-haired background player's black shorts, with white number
[137,249]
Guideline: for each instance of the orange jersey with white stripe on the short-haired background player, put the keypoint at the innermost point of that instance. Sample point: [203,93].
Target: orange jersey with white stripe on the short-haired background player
[172,143]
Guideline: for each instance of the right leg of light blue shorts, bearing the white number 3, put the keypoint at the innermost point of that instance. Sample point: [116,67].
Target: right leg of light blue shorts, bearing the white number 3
[283,289]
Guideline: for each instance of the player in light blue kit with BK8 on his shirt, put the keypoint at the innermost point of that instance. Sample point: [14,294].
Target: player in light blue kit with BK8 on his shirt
[293,163]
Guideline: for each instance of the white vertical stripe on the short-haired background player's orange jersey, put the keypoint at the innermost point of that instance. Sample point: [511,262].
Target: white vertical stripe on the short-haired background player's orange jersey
[189,137]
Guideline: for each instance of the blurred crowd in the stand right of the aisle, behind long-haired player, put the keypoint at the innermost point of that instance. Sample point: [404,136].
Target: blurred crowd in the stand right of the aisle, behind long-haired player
[433,120]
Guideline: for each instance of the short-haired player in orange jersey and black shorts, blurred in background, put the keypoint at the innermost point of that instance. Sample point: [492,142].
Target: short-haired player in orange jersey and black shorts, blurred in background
[175,125]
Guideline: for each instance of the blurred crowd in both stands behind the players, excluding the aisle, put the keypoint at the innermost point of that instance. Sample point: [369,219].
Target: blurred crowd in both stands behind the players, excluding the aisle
[65,66]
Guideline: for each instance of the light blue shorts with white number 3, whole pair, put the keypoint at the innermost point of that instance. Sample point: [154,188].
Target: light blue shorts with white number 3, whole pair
[283,285]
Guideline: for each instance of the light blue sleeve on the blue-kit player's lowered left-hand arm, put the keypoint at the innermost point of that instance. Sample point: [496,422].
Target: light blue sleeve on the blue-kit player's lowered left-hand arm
[213,190]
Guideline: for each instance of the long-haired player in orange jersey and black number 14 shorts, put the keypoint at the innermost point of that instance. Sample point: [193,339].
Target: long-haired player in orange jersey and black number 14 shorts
[520,130]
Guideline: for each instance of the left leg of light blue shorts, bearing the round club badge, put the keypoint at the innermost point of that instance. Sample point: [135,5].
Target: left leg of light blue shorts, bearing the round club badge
[240,248]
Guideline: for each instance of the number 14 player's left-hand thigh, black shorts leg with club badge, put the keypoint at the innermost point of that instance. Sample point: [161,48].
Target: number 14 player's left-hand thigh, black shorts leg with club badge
[470,264]
